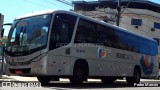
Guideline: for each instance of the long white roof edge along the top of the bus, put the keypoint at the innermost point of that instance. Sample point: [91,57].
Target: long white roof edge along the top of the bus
[82,16]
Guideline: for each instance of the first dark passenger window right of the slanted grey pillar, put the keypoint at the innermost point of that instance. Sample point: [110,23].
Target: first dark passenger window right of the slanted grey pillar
[85,32]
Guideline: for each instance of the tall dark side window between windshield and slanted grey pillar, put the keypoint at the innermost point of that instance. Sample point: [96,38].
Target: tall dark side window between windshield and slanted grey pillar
[62,30]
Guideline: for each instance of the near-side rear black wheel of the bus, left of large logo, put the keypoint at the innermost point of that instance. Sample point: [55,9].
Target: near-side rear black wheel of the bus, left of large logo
[136,77]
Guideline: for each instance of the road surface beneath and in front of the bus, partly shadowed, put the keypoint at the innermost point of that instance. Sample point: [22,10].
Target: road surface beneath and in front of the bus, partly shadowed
[64,84]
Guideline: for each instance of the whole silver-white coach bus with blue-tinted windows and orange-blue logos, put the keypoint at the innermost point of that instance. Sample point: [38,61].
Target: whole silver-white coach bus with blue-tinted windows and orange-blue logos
[63,44]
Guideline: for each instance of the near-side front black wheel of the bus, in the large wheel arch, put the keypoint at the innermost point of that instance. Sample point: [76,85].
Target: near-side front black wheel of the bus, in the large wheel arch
[79,74]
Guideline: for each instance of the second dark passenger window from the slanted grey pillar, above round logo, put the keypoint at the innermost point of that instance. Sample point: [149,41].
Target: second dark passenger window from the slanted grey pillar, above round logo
[105,35]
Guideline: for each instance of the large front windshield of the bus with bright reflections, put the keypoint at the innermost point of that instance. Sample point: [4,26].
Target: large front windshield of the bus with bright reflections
[28,33]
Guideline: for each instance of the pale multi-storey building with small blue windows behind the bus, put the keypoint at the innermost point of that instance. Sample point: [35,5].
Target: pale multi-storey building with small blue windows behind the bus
[139,16]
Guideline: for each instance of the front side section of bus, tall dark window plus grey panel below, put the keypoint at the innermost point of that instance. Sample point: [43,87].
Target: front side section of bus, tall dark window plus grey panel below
[60,37]
